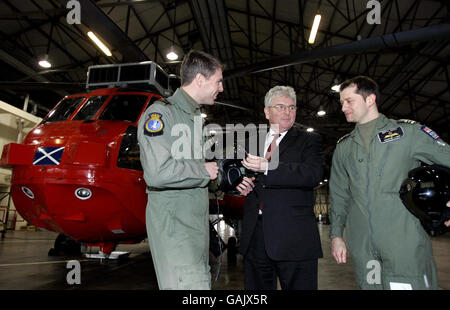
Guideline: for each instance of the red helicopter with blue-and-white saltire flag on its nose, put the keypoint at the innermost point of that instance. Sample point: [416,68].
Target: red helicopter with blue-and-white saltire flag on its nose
[78,171]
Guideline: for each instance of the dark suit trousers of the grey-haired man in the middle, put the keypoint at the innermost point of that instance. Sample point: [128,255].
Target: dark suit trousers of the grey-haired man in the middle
[261,272]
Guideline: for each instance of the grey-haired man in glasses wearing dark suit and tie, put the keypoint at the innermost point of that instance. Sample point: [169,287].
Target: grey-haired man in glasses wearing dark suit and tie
[280,237]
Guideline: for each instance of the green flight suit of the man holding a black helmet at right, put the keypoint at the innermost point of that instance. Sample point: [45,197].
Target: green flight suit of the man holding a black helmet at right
[364,195]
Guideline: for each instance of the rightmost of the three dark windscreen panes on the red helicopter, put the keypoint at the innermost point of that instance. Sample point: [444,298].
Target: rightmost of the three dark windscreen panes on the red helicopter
[124,108]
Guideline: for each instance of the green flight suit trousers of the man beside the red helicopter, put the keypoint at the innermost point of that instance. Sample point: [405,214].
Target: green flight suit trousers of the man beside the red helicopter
[180,253]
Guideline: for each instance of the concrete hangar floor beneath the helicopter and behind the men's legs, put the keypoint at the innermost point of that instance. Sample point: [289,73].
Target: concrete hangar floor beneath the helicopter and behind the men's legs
[25,265]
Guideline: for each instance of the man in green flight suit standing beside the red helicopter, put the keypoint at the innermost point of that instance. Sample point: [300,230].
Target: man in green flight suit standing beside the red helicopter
[171,143]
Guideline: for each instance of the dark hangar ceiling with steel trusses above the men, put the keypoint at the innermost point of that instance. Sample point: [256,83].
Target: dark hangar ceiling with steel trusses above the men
[262,42]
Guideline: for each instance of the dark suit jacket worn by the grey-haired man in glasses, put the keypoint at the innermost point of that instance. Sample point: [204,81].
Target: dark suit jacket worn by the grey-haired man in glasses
[286,193]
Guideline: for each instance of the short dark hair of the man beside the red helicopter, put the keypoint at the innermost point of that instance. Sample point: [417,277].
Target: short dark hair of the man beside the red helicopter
[198,62]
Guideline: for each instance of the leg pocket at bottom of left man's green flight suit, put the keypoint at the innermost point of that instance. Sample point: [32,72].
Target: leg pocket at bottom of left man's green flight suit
[193,277]
